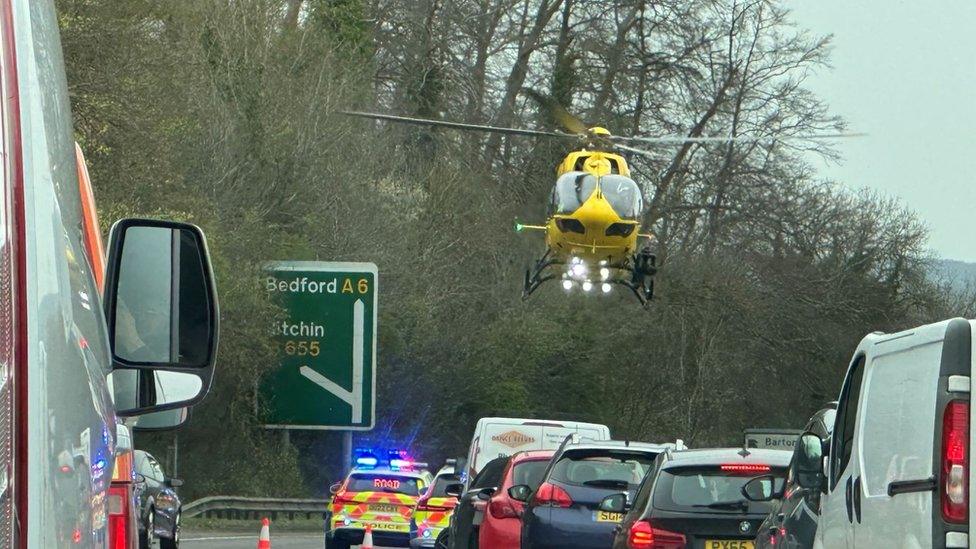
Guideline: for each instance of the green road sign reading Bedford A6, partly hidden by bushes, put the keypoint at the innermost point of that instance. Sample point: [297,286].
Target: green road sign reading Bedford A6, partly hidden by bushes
[327,346]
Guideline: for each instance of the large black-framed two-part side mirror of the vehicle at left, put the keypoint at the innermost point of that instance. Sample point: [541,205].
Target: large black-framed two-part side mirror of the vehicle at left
[162,315]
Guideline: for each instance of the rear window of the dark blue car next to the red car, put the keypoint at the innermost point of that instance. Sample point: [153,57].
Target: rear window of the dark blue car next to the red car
[598,468]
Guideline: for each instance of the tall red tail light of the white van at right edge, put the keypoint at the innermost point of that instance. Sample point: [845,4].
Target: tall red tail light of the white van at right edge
[955,462]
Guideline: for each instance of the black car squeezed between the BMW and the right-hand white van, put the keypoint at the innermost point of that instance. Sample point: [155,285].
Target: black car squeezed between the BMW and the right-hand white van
[793,521]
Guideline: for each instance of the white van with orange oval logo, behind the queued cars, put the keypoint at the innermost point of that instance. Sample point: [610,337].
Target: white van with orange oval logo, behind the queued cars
[502,436]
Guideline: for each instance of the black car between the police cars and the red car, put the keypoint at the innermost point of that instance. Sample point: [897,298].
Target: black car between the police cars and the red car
[470,509]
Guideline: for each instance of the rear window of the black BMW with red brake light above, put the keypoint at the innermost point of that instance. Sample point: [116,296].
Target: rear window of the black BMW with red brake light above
[710,490]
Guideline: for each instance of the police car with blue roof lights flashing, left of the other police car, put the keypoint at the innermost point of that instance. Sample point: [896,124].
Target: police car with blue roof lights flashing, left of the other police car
[381,493]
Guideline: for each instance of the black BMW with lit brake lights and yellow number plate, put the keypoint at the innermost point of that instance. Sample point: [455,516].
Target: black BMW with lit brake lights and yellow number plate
[697,498]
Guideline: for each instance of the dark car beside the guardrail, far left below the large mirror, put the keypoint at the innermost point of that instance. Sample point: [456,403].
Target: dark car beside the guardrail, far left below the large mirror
[159,505]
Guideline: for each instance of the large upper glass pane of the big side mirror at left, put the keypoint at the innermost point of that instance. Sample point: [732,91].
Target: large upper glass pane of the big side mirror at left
[162,313]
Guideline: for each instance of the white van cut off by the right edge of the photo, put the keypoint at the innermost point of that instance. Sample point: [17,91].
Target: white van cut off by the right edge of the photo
[898,470]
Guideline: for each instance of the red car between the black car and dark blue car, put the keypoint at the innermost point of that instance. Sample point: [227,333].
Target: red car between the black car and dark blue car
[502,526]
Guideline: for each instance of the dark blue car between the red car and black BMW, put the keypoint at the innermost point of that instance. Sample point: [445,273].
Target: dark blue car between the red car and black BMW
[564,511]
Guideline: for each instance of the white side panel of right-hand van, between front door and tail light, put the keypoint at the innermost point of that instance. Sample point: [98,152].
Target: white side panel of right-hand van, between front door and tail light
[896,439]
